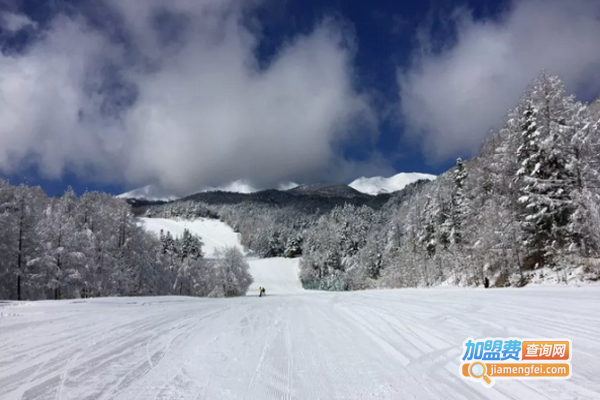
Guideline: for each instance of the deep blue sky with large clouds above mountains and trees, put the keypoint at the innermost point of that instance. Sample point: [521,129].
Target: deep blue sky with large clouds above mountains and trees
[116,94]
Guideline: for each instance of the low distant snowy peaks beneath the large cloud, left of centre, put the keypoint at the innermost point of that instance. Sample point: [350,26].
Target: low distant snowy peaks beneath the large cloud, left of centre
[156,193]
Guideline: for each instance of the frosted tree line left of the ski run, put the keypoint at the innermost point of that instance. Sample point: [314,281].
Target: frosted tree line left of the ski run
[91,246]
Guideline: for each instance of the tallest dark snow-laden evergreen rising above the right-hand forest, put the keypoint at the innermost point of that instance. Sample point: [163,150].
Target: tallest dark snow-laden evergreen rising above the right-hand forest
[544,172]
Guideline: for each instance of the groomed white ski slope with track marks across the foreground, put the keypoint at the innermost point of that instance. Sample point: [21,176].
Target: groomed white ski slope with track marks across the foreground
[291,344]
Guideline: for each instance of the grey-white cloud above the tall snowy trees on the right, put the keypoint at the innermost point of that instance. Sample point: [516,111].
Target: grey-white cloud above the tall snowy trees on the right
[450,99]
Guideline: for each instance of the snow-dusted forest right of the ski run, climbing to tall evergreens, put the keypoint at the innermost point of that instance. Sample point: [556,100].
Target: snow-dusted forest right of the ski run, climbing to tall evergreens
[526,208]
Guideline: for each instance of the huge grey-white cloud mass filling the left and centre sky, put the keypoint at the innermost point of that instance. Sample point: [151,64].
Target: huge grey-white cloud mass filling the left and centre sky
[200,110]
